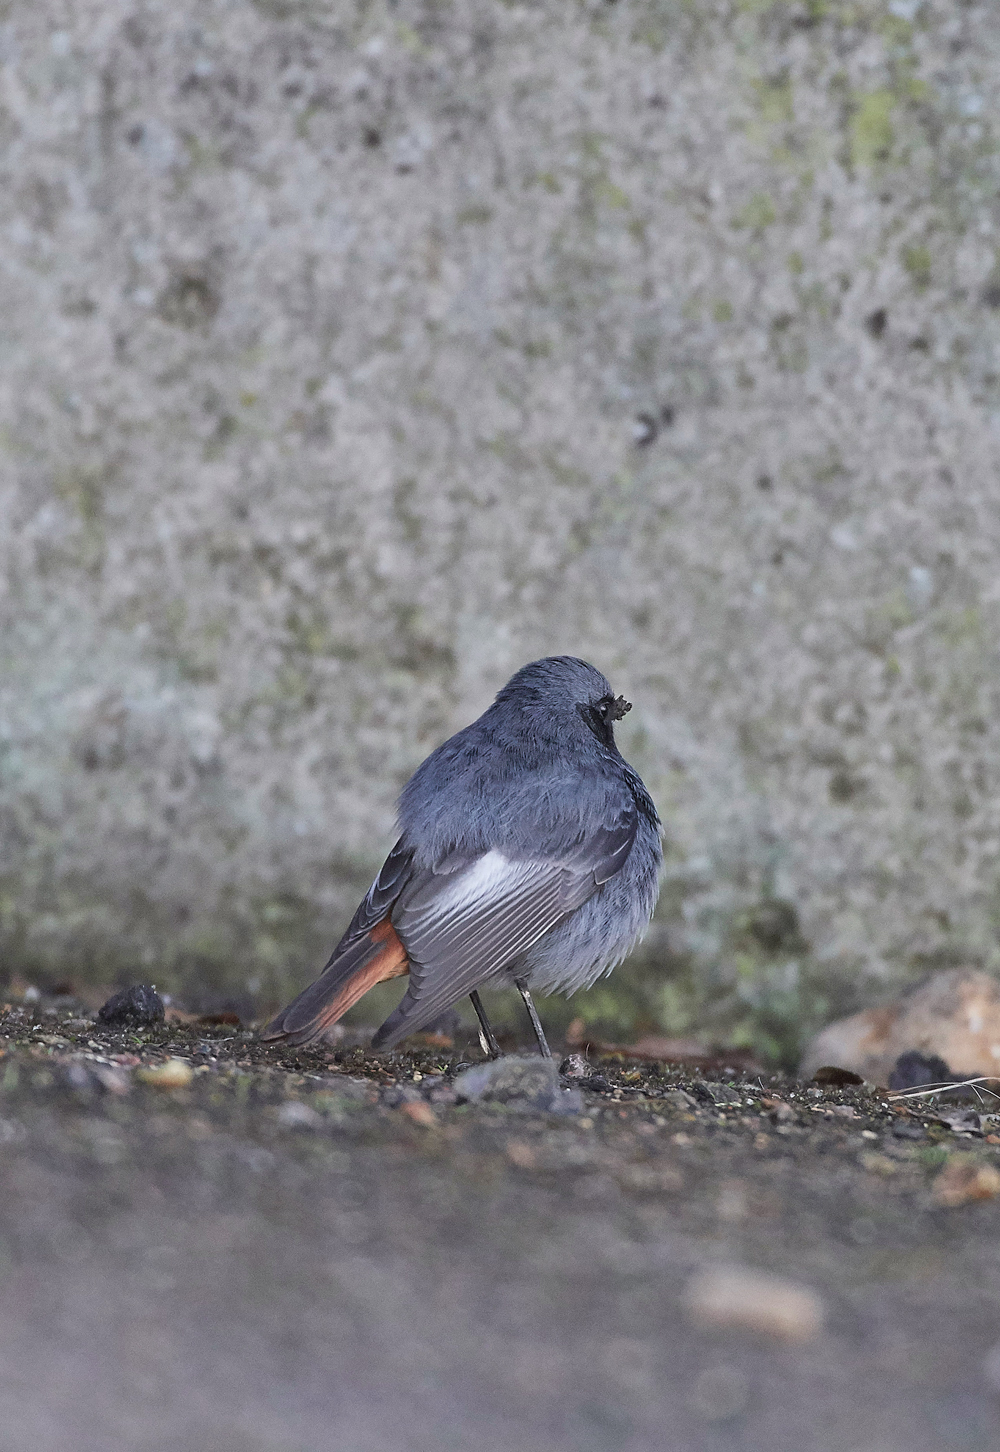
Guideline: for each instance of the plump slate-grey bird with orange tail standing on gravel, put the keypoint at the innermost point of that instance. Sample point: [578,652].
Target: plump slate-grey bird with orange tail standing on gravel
[529,856]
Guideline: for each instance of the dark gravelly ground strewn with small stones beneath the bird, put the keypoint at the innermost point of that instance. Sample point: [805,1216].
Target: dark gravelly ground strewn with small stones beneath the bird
[320,1249]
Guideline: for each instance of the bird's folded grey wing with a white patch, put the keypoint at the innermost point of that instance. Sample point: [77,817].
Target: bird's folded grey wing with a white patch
[462,927]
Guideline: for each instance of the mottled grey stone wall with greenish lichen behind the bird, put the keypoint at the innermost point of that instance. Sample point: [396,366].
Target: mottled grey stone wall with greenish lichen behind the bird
[355,354]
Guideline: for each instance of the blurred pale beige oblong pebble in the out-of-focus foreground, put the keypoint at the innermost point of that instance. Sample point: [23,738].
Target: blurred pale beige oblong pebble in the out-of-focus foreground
[753,1302]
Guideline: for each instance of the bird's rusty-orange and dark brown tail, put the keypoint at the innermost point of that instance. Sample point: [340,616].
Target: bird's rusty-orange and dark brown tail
[351,974]
